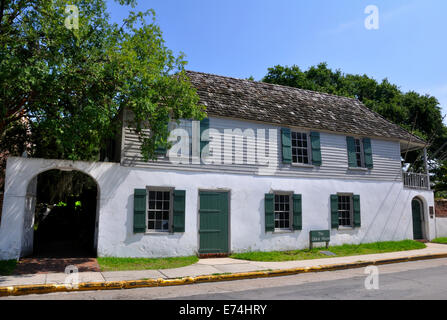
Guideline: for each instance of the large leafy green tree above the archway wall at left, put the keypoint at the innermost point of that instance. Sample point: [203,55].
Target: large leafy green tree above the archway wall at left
[71,85]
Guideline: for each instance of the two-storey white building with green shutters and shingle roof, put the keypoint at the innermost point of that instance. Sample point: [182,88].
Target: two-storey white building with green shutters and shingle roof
[268,165]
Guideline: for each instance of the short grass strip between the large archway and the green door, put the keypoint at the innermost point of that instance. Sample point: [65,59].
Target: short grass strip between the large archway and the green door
[120,264]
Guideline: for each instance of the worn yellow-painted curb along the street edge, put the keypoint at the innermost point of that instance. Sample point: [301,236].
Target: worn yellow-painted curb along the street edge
[132,284]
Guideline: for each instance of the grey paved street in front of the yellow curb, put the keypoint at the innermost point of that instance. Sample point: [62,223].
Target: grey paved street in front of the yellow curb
[411,280]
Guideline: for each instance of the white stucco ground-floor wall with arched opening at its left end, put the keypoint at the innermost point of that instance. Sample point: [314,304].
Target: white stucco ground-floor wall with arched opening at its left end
[385,209]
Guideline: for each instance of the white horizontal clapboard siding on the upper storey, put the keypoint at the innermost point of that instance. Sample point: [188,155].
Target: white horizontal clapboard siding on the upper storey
[386,155]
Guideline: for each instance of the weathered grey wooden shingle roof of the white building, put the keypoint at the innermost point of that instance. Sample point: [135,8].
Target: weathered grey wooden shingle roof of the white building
[288,106]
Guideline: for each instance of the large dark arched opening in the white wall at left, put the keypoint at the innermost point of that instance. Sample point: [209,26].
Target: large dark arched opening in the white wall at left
[63,213]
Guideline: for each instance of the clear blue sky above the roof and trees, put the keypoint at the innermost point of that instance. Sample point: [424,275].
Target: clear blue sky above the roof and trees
[245,37]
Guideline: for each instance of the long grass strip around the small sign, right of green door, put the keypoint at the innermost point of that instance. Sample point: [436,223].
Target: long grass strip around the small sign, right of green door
[340,251]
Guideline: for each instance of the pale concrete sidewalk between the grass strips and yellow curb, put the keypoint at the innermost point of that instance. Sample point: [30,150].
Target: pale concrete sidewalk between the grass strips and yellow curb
[206,267]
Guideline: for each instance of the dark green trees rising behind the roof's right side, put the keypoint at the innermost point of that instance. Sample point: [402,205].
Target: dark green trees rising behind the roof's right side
[419,114]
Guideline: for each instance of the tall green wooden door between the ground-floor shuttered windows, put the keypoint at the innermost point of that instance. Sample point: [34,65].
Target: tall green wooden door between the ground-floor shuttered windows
[213,222]
